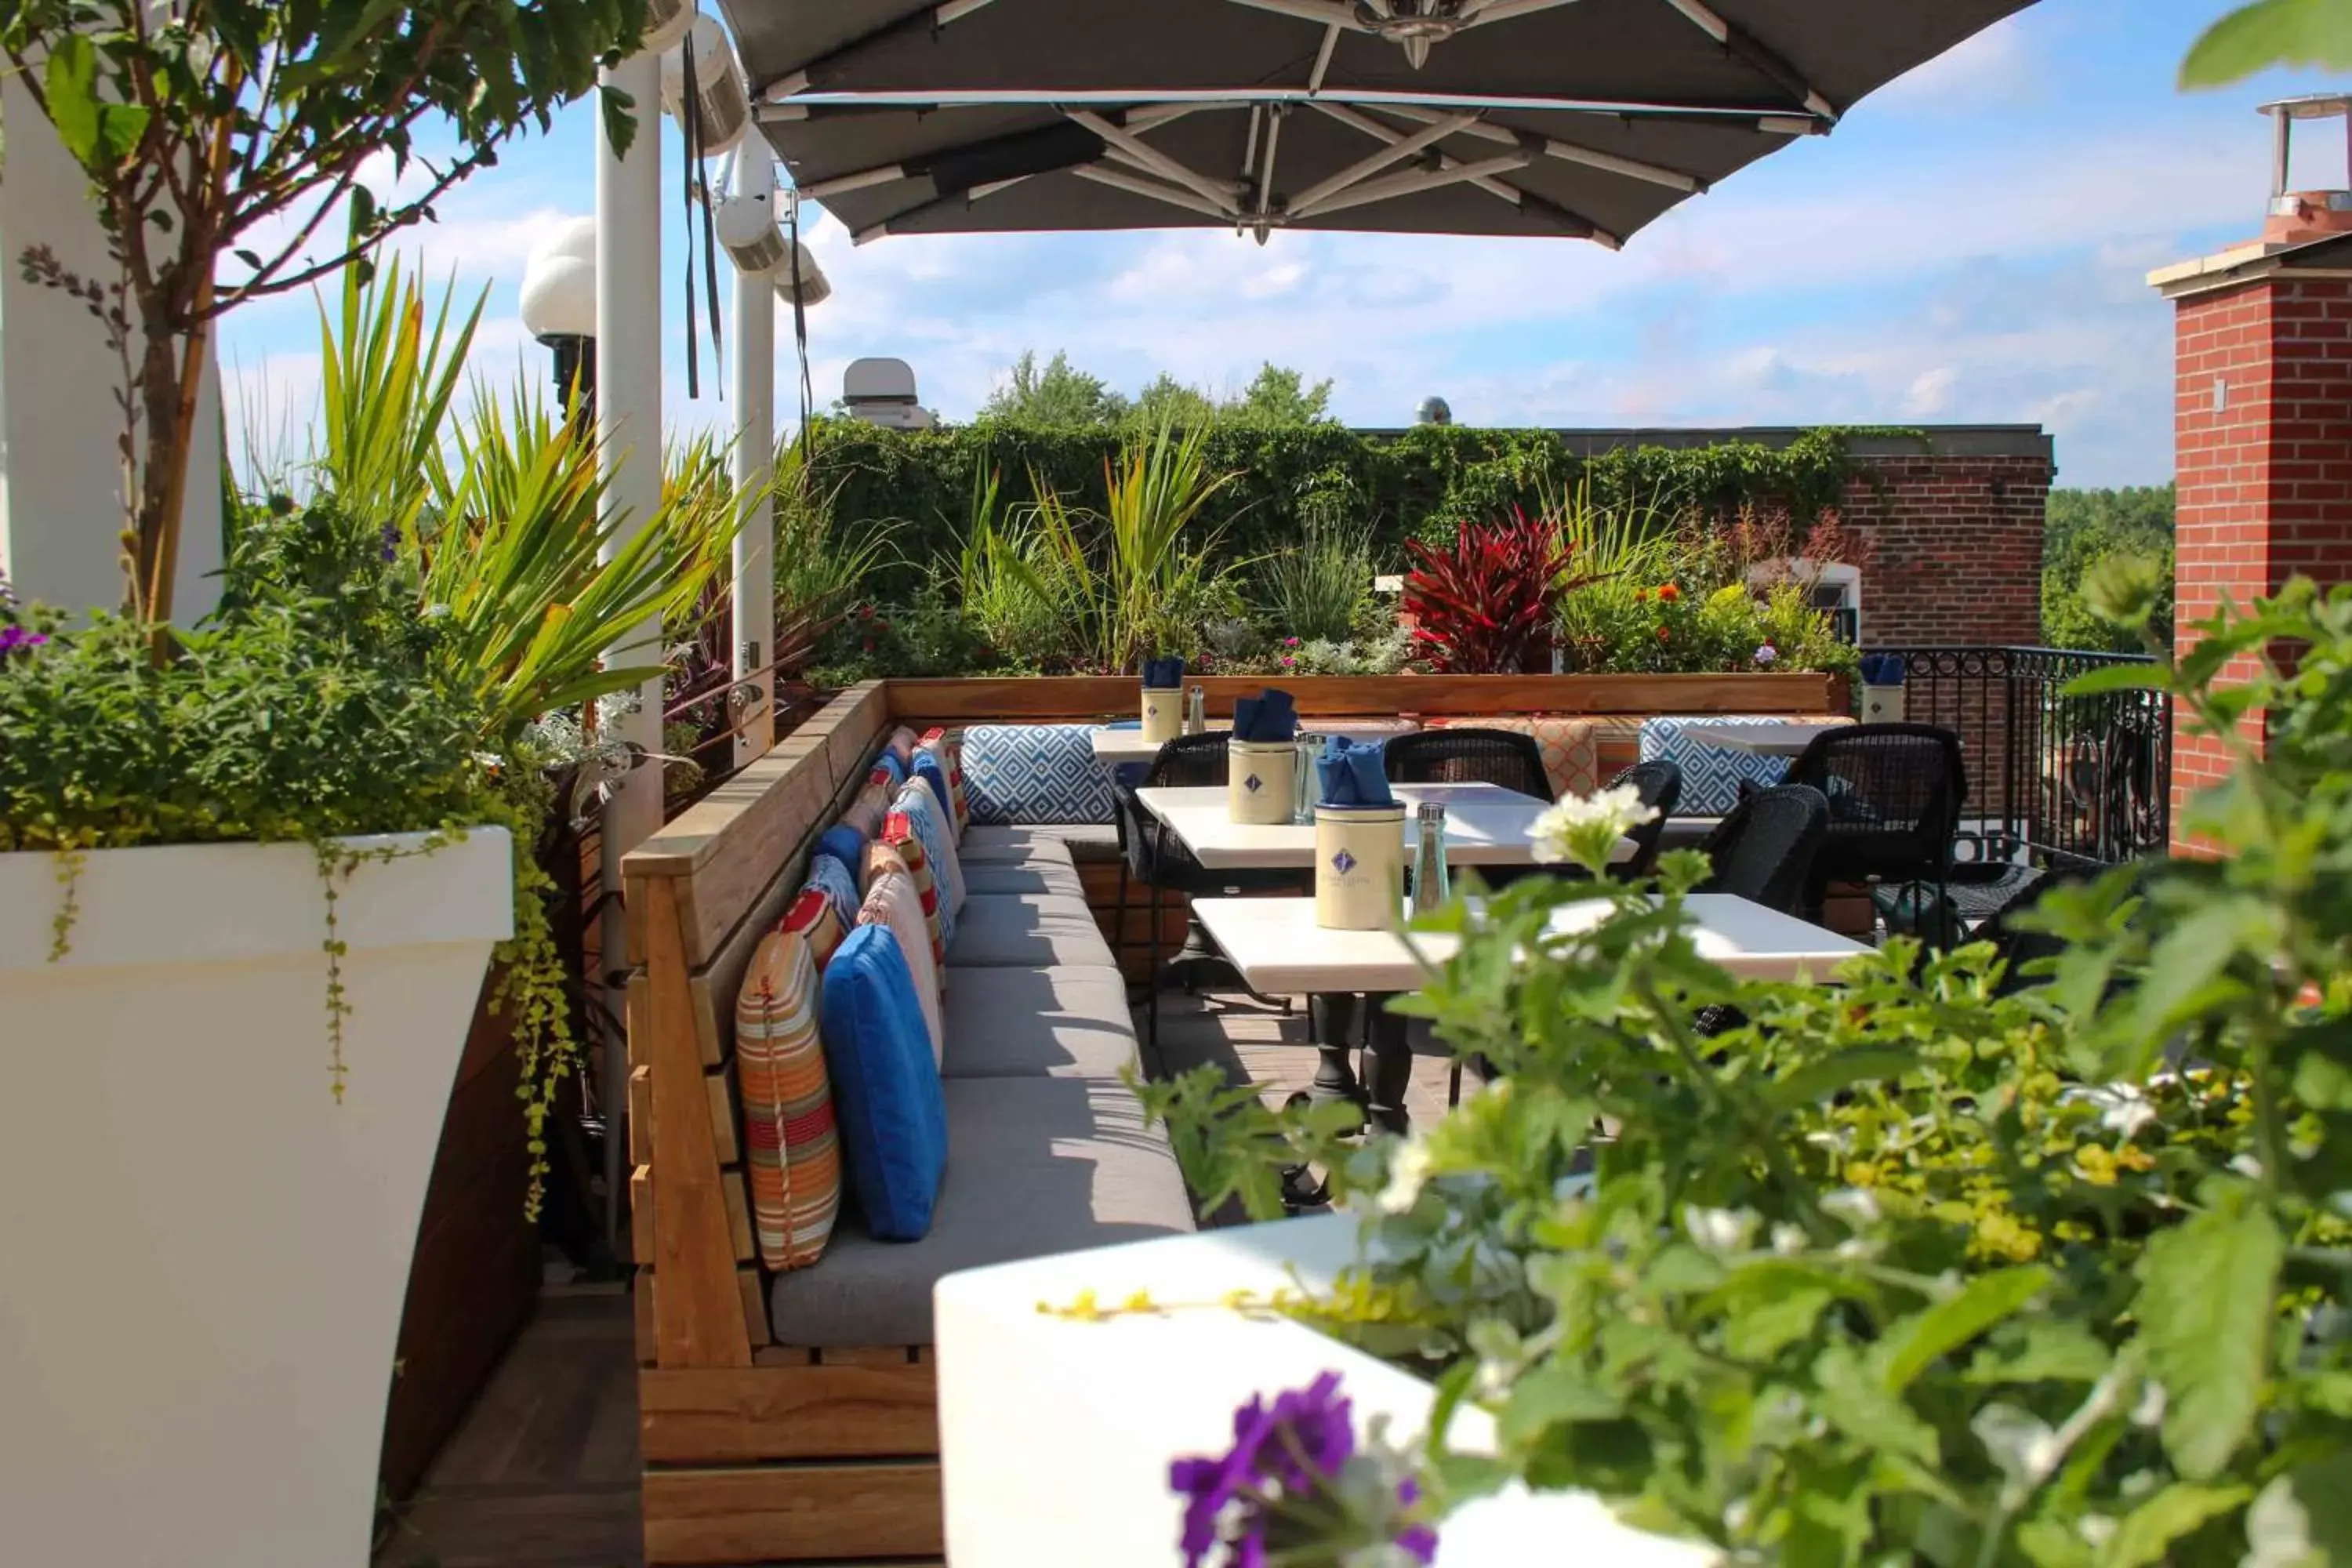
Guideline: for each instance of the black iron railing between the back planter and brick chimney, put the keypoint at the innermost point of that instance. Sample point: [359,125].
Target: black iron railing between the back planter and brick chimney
[2052,779]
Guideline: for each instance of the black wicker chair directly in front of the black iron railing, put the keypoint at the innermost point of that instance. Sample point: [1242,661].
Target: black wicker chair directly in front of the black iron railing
[1895,805]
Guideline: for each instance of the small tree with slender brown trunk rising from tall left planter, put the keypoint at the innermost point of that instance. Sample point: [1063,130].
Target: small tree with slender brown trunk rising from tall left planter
[225,135]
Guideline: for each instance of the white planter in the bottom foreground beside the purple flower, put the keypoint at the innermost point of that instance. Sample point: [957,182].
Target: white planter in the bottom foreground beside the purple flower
[1057,1435]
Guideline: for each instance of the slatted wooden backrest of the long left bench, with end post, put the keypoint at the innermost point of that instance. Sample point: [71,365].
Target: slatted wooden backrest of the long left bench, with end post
[700,899]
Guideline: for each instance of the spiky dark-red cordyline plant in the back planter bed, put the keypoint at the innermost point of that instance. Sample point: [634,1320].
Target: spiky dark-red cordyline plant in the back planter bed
[1485,603]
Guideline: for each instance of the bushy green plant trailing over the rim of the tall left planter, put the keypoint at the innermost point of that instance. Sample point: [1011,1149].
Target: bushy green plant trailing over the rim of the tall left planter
[312,709]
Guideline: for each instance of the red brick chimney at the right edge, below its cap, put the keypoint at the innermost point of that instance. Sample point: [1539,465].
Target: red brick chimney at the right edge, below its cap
[2266,467]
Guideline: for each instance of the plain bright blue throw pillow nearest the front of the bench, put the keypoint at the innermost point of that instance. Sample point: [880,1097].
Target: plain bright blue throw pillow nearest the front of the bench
[886,1087]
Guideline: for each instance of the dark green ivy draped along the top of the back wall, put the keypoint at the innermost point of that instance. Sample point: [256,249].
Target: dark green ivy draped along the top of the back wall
[1422,481]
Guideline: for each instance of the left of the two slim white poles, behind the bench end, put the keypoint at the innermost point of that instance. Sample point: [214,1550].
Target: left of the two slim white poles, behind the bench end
[629,427]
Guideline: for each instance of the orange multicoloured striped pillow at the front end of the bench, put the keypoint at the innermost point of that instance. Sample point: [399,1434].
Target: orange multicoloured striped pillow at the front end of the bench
[791,1146]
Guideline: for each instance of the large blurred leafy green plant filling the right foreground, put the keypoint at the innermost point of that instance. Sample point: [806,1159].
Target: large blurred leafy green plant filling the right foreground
[1935,1264]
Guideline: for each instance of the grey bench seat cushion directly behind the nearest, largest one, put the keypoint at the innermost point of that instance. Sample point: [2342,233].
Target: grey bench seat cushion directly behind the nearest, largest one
[1060,1024]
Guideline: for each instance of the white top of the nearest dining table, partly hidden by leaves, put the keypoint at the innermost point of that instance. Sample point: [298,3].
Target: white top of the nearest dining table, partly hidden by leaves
[1283,953]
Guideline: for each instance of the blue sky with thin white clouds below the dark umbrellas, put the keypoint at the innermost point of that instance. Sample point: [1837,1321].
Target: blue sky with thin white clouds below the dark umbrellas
[1970,246]
